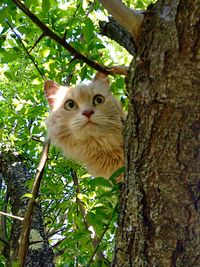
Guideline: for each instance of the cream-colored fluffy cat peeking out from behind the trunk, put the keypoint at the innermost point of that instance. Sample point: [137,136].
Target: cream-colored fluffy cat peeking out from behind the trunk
[85,122]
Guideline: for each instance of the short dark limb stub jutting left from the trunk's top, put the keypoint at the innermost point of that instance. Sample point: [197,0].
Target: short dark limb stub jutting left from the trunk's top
[118,33]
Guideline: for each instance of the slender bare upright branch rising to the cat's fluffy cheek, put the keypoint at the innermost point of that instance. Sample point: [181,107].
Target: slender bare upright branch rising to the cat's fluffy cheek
[24,239]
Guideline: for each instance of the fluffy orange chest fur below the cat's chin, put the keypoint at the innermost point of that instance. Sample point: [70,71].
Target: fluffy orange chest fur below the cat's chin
[101,155]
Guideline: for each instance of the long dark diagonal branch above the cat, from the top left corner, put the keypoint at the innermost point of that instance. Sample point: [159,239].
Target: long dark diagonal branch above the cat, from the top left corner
[62,42]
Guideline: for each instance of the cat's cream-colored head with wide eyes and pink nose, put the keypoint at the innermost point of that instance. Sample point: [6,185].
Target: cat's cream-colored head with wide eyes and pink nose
[83,110]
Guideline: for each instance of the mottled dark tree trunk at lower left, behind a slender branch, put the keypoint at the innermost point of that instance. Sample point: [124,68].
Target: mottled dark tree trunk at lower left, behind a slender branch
[16,175]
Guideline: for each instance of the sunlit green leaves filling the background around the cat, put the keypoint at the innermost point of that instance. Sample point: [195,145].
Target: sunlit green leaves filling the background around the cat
[26,60]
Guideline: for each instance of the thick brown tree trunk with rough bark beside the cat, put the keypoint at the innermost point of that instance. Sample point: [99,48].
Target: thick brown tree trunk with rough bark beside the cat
[159,209]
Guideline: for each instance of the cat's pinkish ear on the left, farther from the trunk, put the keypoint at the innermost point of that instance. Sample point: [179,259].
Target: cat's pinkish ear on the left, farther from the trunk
[50,90]
